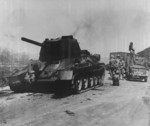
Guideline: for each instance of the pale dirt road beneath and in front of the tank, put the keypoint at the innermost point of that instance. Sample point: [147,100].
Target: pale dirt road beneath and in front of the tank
[126,105]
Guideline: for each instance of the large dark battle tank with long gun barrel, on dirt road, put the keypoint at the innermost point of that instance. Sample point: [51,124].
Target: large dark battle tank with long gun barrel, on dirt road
[60,59]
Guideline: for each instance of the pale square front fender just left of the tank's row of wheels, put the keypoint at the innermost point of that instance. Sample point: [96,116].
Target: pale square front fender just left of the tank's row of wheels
[65,74]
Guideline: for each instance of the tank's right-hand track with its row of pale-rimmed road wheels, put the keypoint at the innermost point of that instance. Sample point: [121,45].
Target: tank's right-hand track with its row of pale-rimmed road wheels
[83,81]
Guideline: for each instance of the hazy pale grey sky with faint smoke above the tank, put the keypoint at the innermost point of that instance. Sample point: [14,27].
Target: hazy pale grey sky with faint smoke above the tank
[101,26]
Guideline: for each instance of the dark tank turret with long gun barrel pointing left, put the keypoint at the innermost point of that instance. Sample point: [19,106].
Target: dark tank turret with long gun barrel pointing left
[57,49]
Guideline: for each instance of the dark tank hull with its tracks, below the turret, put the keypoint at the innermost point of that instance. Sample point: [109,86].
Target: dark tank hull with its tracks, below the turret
[24,80]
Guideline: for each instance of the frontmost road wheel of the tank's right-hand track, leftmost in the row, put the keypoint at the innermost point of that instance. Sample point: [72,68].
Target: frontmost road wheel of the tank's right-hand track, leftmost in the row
[78,83]
